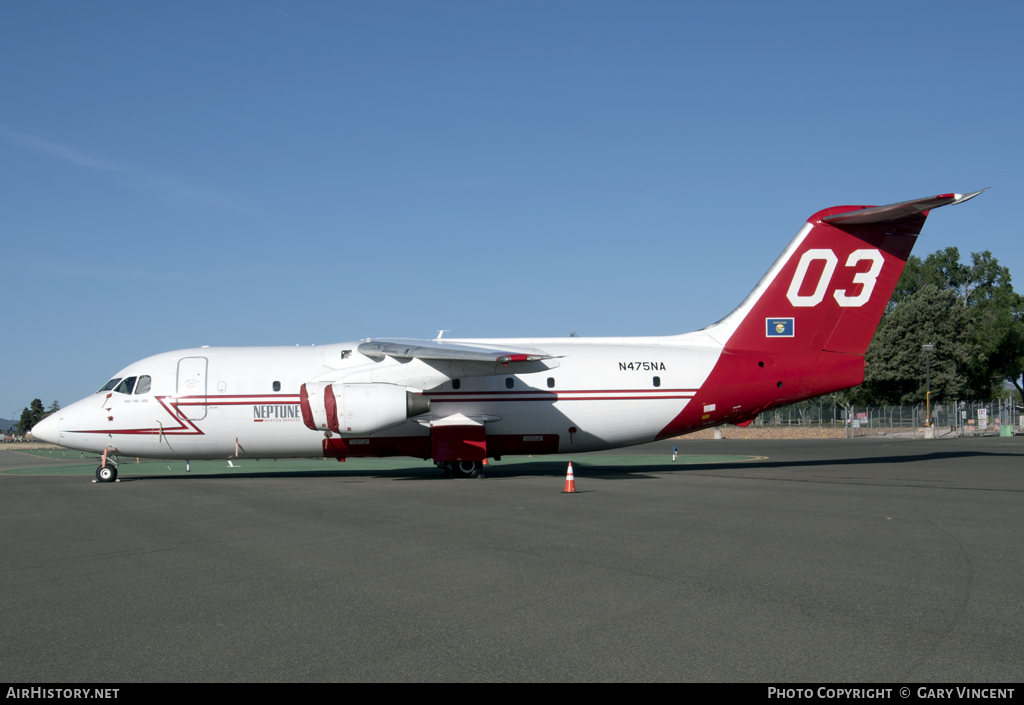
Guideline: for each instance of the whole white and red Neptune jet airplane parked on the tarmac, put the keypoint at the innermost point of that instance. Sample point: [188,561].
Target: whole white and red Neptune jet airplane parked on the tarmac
[802,333]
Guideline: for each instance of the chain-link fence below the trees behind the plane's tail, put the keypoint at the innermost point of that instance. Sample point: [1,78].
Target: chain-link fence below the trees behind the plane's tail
[994,418]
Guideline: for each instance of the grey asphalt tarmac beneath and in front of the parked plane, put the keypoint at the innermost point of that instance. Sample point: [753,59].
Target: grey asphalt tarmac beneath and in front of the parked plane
[808,561]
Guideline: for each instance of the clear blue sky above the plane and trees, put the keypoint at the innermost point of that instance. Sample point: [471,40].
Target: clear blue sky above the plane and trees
[191,174]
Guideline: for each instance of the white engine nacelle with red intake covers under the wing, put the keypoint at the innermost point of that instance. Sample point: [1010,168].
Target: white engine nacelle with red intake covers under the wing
[358,409]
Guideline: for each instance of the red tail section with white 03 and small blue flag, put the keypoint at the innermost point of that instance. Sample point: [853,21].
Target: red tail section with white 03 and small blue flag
[805,328]
